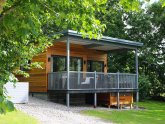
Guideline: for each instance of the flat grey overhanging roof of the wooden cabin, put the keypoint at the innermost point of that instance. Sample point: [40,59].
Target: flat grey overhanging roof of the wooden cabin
[104,43]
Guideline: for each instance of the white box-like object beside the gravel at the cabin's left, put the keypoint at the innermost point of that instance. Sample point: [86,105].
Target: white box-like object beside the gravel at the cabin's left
[19,93]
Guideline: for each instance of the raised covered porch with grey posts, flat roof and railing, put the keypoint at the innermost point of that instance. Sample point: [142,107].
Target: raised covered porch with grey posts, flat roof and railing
[68,81]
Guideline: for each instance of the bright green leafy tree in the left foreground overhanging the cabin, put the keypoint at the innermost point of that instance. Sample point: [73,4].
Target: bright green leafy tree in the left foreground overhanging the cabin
[27,27]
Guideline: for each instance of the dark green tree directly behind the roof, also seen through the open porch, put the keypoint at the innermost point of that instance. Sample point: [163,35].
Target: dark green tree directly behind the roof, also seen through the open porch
[113,18]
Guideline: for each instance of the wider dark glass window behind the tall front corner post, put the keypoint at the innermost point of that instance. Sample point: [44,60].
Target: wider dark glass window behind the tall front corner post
[60,63]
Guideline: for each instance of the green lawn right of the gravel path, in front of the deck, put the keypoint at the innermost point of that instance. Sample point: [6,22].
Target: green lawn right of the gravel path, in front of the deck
[153,114]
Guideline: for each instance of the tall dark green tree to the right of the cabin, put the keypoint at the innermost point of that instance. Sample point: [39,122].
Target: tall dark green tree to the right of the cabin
[148,27]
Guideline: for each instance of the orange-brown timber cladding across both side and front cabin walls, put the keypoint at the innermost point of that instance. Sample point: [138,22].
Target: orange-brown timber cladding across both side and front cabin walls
[38,79]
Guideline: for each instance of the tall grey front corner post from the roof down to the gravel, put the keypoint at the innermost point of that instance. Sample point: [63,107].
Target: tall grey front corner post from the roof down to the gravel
[68,73]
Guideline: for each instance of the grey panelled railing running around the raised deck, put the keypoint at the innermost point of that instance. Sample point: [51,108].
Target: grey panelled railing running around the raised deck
[91,80]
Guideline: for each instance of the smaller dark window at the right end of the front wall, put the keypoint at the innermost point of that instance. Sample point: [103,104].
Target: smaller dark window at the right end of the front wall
[95,66]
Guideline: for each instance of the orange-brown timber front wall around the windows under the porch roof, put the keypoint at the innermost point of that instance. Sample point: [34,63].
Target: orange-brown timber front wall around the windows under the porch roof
[59,48]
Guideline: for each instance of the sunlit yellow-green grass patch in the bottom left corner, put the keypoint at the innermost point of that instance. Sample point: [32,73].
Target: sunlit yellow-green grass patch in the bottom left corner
[17,117]
